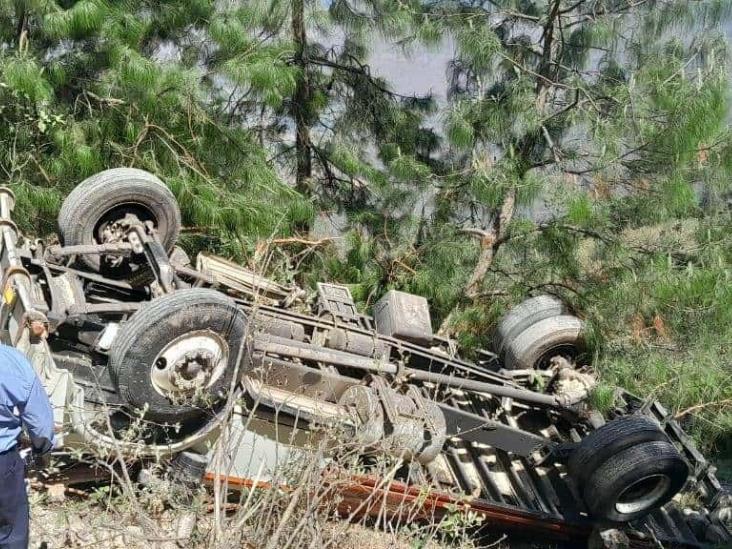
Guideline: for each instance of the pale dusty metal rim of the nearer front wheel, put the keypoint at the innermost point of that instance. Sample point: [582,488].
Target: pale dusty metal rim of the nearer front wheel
[189,363]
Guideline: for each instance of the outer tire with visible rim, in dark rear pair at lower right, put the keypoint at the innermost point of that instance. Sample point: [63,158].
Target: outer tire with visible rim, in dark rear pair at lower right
[635,482]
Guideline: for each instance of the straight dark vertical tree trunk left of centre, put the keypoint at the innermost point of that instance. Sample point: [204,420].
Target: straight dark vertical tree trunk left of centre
[301,100]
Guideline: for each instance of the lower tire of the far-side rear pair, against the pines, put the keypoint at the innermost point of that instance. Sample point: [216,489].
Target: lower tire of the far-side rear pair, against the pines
[557,335]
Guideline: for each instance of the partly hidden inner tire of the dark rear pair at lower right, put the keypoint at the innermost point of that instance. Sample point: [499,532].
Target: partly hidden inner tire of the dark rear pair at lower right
[610,439]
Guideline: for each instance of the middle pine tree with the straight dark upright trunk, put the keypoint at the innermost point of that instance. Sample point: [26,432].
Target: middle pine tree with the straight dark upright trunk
[336,129]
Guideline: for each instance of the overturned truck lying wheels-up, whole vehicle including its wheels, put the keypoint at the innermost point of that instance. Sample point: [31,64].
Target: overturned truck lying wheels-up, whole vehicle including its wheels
[143,352]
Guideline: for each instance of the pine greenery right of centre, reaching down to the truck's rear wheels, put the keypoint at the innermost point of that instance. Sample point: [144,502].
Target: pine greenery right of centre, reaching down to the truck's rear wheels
[589,150]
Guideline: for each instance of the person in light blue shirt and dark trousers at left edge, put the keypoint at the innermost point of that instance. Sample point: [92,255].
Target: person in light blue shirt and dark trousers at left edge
[23,403]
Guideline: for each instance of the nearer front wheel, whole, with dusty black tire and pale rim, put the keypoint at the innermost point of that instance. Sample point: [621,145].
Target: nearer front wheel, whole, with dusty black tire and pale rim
[174,359]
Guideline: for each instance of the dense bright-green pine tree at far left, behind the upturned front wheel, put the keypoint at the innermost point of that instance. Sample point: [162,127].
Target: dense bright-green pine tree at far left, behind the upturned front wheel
[89,84]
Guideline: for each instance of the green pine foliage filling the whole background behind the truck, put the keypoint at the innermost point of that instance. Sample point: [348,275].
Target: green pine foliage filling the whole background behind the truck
[588,142]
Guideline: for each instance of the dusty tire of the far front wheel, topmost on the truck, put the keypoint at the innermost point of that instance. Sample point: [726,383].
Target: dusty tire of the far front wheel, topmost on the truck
[109,193]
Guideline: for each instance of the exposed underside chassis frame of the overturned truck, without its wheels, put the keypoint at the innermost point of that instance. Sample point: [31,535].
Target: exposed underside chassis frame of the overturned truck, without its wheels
[501,443]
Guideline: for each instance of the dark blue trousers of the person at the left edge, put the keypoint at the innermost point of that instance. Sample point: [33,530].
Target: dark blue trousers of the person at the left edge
[13,502]
